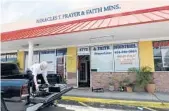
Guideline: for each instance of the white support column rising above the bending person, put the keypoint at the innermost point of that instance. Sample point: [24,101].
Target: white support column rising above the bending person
[30,54]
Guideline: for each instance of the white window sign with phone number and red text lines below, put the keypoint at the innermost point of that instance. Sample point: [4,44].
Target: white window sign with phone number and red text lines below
[126,56]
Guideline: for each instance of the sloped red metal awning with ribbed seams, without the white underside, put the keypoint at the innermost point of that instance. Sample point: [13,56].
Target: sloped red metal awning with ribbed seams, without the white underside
[157,14]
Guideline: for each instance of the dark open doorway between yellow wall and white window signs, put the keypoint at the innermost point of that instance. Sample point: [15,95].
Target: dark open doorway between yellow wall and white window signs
[84,71]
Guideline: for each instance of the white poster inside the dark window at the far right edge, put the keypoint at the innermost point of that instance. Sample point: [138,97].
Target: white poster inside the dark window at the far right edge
[165,57]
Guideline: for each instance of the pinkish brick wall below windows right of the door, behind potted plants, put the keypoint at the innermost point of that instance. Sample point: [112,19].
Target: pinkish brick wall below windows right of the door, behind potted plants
[101,79]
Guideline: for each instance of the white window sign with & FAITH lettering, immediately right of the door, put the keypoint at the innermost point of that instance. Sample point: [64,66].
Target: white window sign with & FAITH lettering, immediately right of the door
[102,58]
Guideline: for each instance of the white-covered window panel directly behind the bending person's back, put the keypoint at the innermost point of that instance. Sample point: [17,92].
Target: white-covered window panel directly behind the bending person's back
[50,57]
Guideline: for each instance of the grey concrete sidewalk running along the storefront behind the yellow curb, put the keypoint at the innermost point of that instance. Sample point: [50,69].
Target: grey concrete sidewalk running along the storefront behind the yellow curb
[134,96]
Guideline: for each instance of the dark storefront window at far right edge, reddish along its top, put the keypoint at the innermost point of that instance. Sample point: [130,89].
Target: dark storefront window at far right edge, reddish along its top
[161,55]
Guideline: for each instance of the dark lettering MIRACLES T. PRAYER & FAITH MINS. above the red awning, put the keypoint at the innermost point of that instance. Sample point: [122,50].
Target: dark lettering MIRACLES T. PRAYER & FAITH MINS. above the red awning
[79,13]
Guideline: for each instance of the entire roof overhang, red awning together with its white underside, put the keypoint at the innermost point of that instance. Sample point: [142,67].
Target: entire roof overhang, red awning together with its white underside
[147,24]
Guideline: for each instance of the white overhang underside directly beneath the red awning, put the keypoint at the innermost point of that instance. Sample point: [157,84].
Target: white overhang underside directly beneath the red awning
[132,33]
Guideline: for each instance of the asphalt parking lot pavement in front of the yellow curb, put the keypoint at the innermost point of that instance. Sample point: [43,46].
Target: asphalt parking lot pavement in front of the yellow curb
[63,105]
